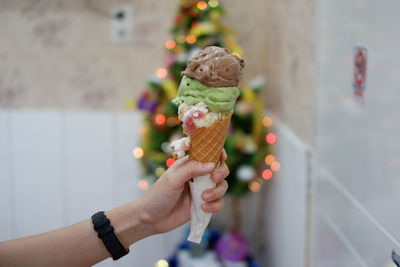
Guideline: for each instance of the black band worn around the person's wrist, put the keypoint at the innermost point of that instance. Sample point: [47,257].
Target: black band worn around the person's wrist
[105,231]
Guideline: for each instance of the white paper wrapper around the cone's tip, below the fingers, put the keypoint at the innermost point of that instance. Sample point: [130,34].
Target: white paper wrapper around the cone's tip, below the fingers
[199,218]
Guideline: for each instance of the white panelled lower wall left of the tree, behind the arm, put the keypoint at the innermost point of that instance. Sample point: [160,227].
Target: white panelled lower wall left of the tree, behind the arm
[57,168]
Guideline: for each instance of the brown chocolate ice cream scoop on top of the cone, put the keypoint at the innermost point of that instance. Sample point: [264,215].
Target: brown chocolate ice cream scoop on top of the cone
[215,66]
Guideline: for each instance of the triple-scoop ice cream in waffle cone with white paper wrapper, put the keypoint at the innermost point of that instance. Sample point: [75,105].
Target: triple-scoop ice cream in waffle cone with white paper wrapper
[206,98]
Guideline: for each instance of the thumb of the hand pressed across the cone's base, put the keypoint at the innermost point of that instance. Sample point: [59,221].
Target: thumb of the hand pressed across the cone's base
[181,173]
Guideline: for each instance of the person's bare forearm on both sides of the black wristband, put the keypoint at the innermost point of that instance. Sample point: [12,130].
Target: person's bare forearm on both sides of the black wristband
[75,245]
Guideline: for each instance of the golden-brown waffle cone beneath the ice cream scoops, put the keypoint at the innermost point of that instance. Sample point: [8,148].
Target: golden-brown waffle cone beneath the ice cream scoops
[206,143]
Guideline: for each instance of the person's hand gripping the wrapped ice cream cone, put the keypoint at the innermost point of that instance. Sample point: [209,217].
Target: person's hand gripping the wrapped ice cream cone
[167,204]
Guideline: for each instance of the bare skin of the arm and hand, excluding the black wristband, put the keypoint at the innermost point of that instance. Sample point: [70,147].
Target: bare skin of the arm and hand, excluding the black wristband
[163,208]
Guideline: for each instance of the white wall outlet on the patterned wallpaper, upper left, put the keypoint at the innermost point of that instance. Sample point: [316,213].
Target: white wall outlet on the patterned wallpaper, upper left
[121,24]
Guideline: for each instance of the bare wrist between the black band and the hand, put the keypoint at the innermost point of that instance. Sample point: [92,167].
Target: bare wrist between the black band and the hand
[128,225]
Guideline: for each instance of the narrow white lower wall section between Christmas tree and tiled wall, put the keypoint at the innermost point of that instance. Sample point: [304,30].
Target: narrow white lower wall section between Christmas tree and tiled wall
[287,205]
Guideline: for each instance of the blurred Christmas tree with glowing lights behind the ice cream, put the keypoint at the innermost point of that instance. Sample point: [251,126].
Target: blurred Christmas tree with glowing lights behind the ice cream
[248,145]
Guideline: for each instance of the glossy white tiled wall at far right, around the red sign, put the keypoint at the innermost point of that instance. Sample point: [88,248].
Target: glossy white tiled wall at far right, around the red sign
[358,154]
